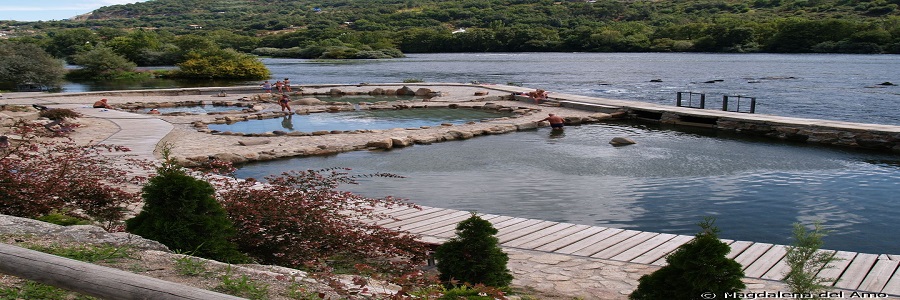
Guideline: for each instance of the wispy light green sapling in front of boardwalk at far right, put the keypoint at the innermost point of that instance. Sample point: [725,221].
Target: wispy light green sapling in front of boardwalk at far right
[805,261]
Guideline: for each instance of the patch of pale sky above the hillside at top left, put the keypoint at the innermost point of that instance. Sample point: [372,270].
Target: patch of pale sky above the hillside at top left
[46,10]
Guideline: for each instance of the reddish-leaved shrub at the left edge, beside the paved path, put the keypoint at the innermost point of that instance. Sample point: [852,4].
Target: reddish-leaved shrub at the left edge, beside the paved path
[45,172]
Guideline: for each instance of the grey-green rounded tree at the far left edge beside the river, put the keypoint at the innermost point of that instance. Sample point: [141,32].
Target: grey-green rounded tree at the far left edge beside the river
[28,63]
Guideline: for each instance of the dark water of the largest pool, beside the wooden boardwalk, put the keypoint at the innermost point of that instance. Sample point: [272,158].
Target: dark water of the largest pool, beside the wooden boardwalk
[667,182]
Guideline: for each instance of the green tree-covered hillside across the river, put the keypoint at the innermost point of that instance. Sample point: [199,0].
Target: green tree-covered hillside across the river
[846,26]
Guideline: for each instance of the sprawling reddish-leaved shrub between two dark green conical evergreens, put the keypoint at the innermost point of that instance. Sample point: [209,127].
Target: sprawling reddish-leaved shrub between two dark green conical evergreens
[300,219]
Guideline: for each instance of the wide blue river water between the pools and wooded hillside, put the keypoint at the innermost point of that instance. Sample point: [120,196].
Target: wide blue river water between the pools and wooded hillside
[821,86]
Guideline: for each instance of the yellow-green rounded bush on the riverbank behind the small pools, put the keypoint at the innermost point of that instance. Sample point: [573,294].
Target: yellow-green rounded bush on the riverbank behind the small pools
[221,64]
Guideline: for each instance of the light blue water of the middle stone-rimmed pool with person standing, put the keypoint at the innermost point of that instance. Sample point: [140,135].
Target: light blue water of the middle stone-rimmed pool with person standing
[362,119]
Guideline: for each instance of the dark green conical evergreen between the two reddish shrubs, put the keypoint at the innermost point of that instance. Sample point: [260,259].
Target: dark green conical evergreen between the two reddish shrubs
[181,212]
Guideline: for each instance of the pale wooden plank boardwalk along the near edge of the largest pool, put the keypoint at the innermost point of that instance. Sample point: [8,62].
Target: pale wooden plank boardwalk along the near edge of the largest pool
[854,271]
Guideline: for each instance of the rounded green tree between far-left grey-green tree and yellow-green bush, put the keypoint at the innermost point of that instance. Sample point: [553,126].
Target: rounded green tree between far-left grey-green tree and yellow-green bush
[101,62]
